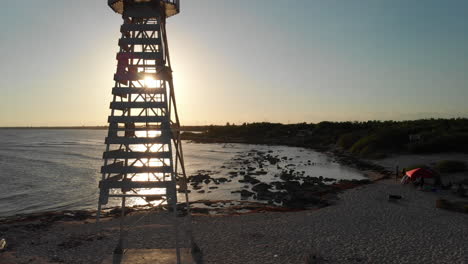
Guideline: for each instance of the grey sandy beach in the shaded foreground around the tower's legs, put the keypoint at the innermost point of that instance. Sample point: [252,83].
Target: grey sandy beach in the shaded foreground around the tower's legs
[362,227]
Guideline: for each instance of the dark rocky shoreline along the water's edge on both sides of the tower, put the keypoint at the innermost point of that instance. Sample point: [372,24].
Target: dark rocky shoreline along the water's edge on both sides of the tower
[291,191]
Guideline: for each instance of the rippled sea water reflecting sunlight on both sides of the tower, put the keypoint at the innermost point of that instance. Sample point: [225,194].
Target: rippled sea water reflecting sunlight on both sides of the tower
[53,170]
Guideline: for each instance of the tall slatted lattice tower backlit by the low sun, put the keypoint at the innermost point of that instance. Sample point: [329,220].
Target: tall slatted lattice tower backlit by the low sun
[143,154]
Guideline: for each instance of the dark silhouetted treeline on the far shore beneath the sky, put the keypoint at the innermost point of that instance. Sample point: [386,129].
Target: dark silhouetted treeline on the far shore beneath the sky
[370,138]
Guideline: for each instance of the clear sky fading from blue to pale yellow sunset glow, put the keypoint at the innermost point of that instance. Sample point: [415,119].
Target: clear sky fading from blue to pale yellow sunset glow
[244,61]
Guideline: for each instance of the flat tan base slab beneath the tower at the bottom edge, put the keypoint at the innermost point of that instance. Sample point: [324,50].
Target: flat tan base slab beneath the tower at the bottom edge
[153,256]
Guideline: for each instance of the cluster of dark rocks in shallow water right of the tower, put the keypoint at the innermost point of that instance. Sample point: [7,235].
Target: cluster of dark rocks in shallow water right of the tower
[291,189]
